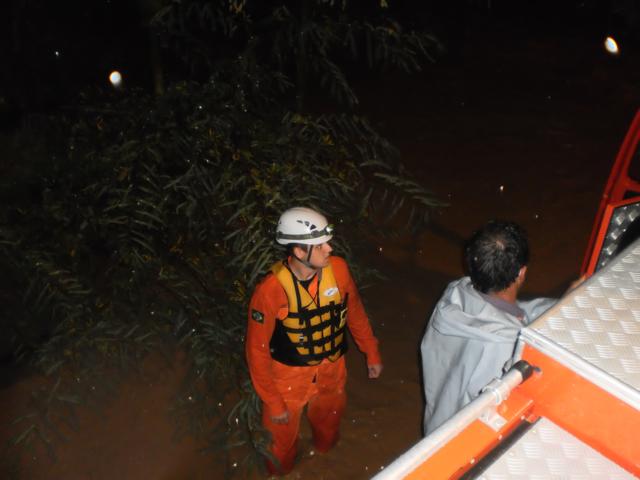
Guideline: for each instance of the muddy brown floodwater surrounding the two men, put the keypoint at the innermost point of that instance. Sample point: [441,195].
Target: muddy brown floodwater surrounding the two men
[521,126]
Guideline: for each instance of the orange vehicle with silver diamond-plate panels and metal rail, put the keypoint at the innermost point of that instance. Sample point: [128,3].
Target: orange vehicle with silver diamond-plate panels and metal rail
[569,408]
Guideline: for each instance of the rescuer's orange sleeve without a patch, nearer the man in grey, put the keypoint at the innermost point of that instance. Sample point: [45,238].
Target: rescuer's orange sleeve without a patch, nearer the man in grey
[357,319]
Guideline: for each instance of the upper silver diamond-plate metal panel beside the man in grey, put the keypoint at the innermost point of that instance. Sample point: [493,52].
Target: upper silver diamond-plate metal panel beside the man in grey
[595,329]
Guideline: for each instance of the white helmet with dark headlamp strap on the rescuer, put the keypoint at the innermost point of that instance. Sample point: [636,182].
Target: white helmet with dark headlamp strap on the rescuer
[303,225]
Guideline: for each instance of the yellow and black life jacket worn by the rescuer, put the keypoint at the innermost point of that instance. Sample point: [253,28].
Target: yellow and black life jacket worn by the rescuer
[314,328]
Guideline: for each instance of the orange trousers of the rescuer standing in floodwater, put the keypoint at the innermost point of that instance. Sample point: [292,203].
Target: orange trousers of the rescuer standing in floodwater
[326,399]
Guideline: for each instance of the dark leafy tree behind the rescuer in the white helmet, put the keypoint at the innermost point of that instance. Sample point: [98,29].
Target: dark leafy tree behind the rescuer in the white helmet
[150,225]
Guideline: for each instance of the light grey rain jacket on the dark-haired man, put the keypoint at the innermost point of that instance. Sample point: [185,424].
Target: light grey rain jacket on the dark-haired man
[468,343]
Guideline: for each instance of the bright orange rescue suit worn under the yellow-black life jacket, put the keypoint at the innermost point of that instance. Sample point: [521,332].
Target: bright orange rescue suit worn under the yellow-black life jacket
[320,385]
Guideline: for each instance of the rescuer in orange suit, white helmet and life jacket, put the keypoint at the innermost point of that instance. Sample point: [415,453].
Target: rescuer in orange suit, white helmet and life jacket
[296,337]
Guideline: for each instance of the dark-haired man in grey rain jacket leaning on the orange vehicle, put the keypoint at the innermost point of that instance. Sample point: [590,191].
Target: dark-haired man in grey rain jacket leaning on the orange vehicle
[472,332]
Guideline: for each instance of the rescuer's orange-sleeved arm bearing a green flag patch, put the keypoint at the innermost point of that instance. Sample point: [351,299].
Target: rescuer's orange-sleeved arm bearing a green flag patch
[263,310]
